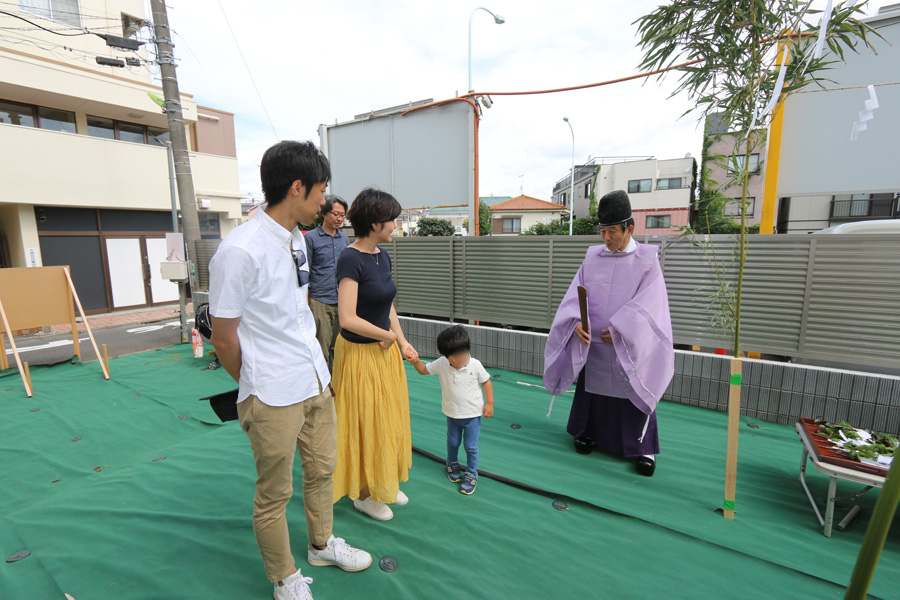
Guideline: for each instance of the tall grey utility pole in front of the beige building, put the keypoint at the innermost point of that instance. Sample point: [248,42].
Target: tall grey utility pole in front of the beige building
[190,222]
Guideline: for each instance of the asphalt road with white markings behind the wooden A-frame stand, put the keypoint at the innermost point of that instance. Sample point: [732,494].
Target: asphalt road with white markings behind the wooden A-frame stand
[119,340]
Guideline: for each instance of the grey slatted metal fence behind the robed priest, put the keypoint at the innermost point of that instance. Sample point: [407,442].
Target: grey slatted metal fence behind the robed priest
[826,297]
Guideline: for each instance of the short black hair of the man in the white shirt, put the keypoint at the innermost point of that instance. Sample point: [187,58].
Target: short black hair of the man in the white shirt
[286,162]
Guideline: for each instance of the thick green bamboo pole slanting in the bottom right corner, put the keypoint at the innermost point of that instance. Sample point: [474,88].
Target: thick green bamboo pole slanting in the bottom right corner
[876,534]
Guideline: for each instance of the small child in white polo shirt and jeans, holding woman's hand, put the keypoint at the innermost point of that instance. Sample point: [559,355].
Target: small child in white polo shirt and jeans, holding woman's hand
[462,401]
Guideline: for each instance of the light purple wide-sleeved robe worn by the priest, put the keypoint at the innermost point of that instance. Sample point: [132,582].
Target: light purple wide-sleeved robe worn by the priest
[627,295]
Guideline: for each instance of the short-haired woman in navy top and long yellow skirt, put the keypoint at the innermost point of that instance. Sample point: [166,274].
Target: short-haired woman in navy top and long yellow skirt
[372,401]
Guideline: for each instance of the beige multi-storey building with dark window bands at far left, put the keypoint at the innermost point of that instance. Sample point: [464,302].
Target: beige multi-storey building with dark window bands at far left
[83,160]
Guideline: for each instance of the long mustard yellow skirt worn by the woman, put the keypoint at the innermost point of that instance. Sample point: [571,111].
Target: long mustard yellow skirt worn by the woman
[372,403]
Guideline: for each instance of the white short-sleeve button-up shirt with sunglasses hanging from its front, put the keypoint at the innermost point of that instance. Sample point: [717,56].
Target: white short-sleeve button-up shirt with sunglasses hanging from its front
[253,276]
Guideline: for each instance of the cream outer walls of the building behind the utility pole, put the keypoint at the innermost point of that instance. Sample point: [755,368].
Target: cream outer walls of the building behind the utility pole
[50,168]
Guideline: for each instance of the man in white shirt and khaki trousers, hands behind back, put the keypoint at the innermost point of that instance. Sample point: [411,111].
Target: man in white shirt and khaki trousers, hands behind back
[265,337]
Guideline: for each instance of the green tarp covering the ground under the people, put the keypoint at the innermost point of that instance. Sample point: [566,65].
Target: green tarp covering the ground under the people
[103,519]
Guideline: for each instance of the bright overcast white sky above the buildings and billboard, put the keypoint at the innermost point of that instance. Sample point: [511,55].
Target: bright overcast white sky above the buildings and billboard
[317,62]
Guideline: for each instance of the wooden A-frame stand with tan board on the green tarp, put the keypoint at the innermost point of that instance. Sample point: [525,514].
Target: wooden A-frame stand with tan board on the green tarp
[39,297]
